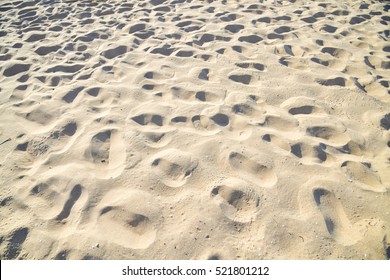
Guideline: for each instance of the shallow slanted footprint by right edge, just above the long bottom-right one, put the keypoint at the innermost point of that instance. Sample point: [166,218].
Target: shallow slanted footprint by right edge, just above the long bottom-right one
[364,174]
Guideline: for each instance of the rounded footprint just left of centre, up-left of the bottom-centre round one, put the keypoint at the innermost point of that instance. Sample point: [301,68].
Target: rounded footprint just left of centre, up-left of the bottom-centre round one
[173,167]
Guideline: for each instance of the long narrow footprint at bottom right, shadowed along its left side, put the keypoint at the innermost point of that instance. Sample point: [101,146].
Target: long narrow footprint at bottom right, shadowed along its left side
[336,221]
